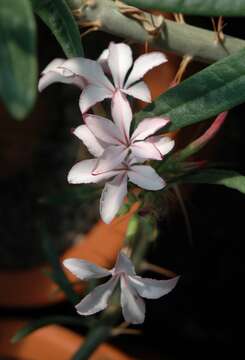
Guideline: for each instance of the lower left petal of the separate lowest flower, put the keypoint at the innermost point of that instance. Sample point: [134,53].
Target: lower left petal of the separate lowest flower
[97,300]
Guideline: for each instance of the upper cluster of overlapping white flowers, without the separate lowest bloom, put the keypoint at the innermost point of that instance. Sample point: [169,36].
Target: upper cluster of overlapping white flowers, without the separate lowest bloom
[118,152]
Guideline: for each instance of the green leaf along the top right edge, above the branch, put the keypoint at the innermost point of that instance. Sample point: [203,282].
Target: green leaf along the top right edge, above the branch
[194,7]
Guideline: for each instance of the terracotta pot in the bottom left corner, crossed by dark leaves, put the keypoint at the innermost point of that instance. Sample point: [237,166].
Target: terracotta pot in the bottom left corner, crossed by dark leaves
[50,343]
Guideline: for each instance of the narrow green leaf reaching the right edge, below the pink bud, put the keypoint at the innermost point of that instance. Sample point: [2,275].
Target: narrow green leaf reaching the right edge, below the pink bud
[228,178]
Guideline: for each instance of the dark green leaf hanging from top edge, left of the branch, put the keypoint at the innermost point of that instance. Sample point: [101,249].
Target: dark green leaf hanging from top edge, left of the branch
[58,17]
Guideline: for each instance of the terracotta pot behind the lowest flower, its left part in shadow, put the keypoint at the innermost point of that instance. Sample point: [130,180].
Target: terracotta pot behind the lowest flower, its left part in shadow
[32,288]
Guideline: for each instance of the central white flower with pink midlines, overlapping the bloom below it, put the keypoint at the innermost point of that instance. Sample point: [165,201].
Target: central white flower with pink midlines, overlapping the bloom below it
[118,141]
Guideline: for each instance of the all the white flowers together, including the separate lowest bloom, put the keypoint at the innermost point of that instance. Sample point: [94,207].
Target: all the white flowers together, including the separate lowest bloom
[119,156]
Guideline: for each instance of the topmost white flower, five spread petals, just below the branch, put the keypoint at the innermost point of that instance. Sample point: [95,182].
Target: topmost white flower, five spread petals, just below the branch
[118,59]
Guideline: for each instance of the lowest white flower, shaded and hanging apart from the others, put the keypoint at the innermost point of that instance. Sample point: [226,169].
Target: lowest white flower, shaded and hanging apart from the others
[133,287]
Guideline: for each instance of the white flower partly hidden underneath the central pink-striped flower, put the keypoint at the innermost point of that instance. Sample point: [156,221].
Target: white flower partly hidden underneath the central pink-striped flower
[116,179]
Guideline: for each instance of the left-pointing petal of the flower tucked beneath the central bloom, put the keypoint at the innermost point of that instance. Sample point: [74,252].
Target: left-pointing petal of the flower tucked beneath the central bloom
[81,173]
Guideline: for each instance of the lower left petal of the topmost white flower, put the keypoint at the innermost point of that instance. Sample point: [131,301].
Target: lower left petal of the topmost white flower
[91,95]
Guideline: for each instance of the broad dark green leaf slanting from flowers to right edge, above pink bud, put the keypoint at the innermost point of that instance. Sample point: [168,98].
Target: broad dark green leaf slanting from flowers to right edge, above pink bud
[213,90]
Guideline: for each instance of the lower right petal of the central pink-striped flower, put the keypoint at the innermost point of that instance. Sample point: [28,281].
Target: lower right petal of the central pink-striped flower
[145,150]
